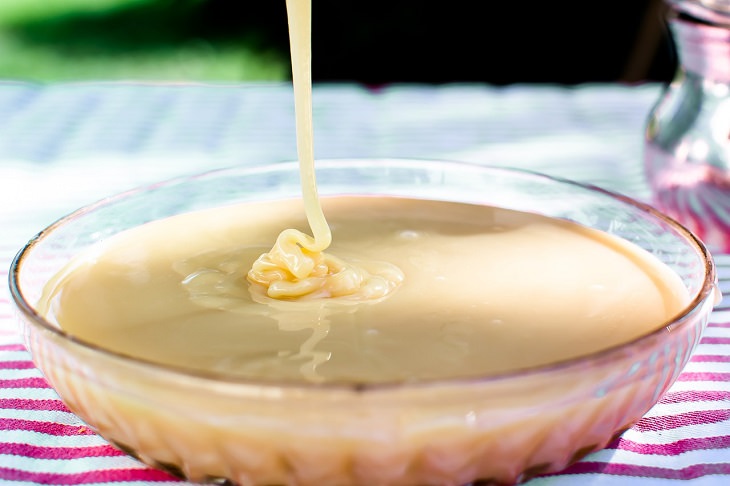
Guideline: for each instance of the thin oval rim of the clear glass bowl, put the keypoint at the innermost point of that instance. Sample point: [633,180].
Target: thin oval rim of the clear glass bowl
[707,289]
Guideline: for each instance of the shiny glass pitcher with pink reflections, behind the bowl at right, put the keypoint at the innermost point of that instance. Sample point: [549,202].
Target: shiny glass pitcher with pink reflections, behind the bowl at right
[687,139]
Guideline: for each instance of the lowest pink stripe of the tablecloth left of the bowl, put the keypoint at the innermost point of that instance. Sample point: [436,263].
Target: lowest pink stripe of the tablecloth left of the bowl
[103,476]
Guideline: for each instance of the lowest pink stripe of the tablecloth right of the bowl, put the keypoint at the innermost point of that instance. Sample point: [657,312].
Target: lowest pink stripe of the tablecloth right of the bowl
[690,472]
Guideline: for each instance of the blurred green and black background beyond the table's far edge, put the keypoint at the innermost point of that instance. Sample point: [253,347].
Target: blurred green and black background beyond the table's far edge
[371,42]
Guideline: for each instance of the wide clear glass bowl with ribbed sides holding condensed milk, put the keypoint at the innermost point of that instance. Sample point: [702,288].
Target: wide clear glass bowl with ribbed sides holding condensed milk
[502,428]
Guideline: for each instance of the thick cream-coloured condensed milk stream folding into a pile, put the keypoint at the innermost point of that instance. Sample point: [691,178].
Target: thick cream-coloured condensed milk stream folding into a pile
[296,267]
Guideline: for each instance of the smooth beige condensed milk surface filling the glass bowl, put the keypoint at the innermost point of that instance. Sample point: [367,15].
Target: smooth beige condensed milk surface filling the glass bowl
[486,290]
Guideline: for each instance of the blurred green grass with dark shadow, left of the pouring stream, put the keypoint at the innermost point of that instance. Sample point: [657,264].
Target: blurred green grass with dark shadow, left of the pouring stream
[167,40]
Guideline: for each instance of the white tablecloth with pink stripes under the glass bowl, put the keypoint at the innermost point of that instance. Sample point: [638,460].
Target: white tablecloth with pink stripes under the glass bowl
[65,145]
